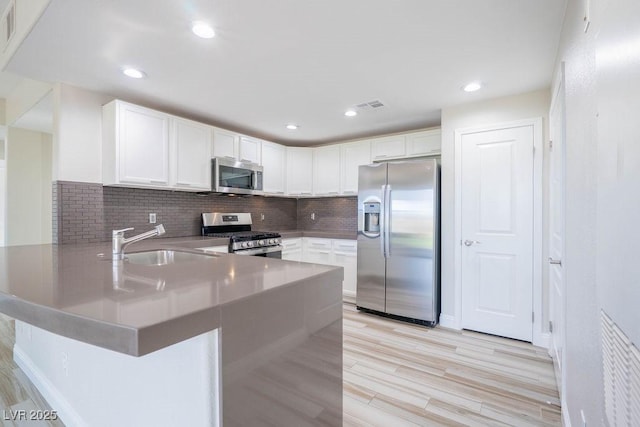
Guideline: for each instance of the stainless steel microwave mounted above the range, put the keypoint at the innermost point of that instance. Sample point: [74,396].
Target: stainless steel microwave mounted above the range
[234,177]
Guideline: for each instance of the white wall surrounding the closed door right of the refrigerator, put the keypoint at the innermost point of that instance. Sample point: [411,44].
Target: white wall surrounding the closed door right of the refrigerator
[476,114]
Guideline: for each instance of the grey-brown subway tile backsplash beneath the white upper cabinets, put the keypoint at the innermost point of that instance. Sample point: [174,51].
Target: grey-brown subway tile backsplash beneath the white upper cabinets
[87,212]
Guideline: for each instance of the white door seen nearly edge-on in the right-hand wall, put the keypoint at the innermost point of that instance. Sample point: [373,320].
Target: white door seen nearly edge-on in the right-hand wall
[557,302]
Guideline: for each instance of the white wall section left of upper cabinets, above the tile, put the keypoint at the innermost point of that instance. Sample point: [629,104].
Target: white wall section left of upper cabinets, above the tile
[77,141]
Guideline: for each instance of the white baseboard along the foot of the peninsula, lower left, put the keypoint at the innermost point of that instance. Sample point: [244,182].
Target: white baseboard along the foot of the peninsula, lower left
[50,393]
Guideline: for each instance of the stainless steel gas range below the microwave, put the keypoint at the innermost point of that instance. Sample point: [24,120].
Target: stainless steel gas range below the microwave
[242,241]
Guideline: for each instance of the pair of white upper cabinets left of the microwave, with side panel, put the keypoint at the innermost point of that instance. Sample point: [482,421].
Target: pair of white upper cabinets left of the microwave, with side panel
[145,148]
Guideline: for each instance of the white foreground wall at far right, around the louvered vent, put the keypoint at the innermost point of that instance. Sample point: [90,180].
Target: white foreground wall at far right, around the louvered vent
[602,74]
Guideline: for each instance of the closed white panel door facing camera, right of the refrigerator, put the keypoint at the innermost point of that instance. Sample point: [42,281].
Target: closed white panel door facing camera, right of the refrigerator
[497,231]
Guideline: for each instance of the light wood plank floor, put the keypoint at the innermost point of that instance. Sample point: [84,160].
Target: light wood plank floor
[397,374]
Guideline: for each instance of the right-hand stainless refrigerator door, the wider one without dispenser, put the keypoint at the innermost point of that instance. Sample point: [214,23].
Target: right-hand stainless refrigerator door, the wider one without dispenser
[411,288]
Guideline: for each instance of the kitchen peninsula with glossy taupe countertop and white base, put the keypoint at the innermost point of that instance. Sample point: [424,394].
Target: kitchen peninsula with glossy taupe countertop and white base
[197,340]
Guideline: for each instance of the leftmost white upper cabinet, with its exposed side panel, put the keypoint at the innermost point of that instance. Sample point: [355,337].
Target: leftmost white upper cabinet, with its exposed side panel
[135,146]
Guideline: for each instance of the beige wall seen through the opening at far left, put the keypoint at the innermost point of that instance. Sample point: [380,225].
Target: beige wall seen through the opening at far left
[28,168]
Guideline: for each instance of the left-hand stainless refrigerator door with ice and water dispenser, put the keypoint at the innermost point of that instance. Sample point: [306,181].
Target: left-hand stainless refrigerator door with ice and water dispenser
[370,291]
